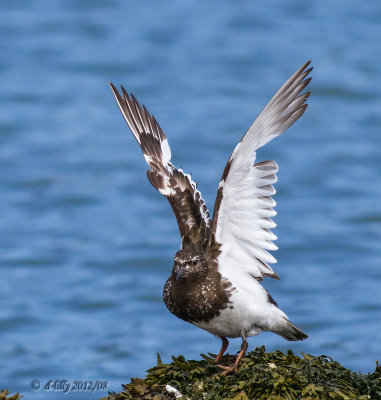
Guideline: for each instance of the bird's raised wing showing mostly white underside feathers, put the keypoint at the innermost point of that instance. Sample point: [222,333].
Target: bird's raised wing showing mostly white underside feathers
[243,208]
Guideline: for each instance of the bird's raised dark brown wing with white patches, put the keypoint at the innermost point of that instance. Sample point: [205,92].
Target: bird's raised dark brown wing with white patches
[186,201]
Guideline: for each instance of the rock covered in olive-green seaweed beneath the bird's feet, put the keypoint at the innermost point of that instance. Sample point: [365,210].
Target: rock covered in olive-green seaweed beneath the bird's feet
[261,375]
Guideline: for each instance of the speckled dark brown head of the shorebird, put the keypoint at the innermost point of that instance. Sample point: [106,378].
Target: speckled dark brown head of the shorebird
[189,265]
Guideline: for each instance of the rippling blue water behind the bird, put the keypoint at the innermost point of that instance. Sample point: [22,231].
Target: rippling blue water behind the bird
[86,243]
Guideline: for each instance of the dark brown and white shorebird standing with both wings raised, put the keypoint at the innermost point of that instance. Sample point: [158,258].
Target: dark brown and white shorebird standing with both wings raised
[215,277]
